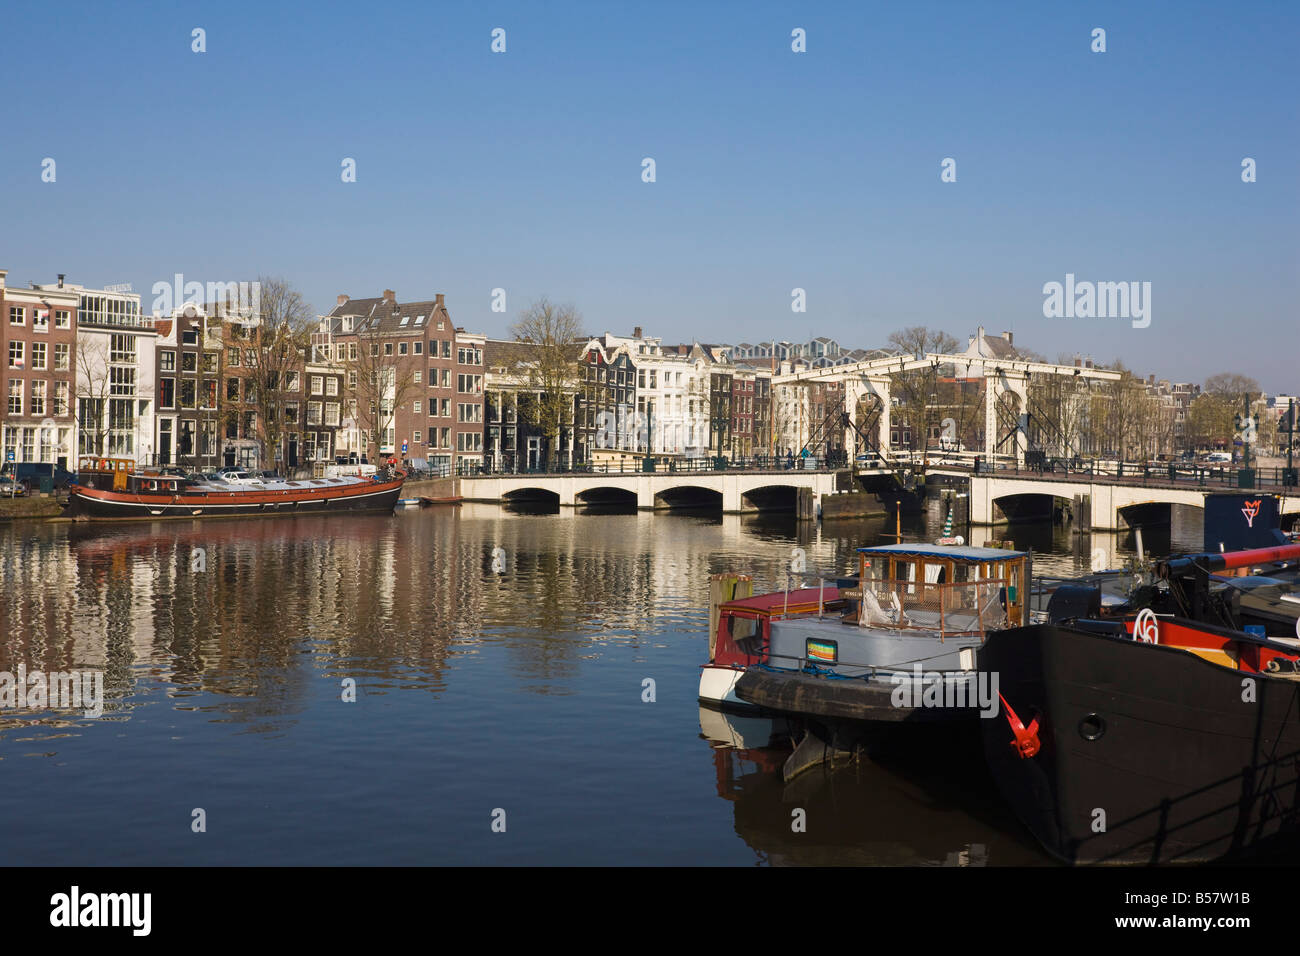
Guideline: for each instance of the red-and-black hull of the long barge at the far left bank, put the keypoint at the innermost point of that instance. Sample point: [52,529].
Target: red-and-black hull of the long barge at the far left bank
[101,505]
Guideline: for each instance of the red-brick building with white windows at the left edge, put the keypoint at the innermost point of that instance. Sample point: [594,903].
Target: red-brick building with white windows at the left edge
[38,341]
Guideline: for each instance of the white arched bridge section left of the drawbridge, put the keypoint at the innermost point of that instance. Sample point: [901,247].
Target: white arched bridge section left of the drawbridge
[733,492]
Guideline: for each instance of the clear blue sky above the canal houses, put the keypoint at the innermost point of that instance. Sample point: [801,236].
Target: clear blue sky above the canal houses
[775,170]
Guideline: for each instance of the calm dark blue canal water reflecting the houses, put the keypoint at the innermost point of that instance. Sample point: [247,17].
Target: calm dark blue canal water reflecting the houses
[476,691]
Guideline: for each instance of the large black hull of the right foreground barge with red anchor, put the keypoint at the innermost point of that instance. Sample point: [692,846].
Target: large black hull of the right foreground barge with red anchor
[1149,754]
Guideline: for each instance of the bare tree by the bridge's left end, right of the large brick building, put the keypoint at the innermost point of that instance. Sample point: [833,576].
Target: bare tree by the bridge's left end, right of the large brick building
[548,356]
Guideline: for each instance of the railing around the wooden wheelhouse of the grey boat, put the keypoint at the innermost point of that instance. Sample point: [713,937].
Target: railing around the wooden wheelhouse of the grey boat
[946,609]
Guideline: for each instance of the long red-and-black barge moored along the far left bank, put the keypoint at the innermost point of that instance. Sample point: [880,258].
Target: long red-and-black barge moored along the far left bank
[111,490]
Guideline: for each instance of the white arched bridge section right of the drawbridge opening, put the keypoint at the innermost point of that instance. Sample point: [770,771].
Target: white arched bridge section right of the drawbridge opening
[1103,503]
